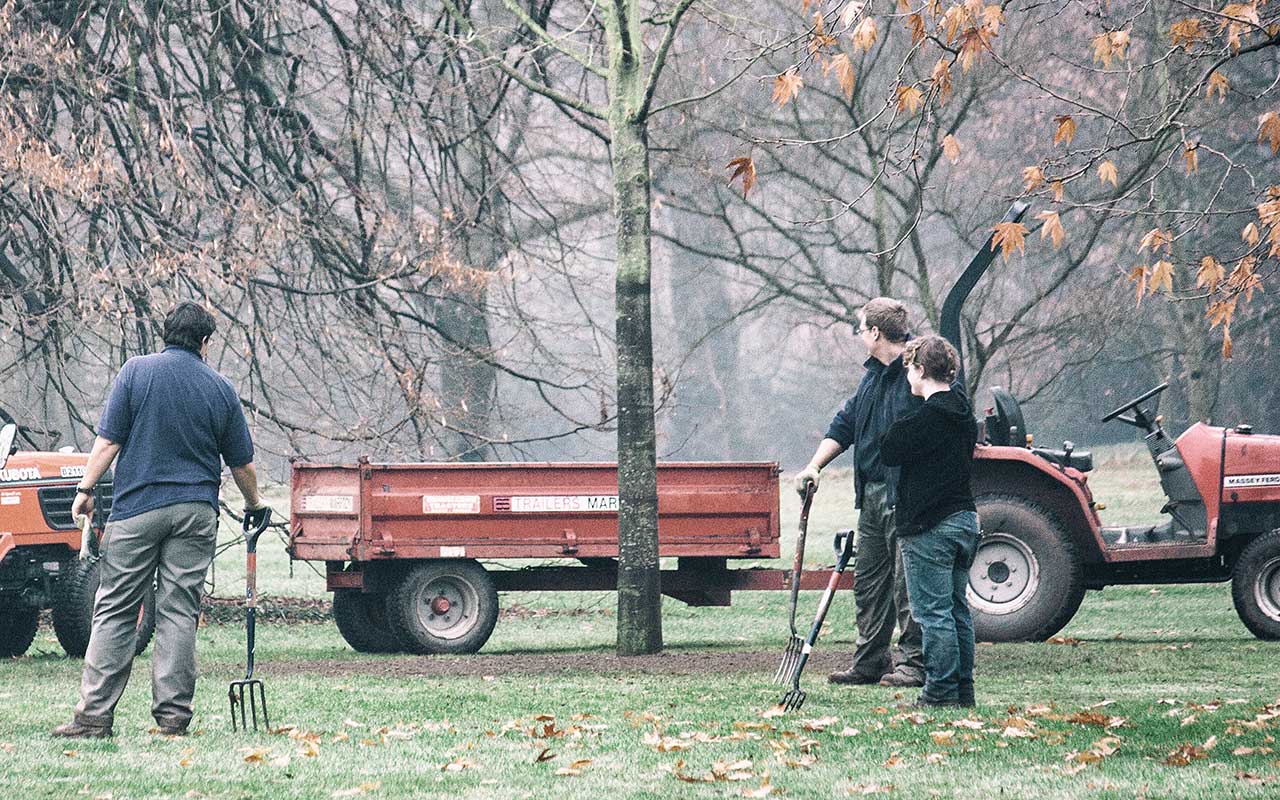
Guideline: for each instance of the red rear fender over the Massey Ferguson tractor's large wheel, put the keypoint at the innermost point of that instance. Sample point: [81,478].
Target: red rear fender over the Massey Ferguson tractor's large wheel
[1062,492]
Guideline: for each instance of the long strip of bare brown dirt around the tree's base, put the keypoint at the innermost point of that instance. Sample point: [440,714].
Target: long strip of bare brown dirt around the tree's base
[674,662]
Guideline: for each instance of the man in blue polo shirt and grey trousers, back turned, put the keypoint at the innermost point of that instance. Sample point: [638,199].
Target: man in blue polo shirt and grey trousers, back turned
[170,424]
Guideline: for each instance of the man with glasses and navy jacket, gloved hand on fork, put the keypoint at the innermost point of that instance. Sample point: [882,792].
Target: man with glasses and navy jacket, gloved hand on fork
[880,591]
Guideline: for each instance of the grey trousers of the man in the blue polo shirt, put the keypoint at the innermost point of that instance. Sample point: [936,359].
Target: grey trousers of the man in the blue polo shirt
[175,543]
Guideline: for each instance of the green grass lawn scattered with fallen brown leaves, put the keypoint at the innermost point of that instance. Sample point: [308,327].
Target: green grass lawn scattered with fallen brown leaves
[1156,693]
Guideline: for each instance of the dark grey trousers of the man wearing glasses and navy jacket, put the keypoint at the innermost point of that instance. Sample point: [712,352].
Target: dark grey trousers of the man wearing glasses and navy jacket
[880,595]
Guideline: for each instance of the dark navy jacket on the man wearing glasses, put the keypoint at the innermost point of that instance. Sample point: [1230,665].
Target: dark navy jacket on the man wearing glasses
[883,397]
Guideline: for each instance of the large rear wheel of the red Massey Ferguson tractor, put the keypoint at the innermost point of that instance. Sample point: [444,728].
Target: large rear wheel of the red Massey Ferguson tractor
[1027,579]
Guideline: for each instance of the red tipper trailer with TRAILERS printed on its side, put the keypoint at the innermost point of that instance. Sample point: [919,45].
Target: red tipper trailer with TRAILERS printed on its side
[401,542]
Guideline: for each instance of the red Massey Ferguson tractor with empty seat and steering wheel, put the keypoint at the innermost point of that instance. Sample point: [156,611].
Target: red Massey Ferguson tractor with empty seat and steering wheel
[1044,545]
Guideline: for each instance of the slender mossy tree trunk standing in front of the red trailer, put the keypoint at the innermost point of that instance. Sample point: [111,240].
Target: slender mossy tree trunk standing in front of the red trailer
[639,592]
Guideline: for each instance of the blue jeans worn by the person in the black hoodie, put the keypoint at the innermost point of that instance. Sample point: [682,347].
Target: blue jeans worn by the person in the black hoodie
[938,574]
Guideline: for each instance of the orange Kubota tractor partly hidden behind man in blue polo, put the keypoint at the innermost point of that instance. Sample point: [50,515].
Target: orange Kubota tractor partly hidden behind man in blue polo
[47,561]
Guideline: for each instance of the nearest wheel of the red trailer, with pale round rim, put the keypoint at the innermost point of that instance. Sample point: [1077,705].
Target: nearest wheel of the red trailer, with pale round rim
[444,607]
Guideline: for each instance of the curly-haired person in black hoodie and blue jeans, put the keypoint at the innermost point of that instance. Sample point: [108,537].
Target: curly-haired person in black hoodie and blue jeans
[938,522]
